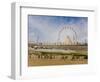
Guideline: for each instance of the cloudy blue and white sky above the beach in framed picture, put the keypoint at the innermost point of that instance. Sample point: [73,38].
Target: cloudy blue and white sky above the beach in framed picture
[50,28]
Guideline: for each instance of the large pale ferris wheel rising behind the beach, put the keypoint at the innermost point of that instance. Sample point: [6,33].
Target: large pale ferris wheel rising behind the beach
[67,35]
